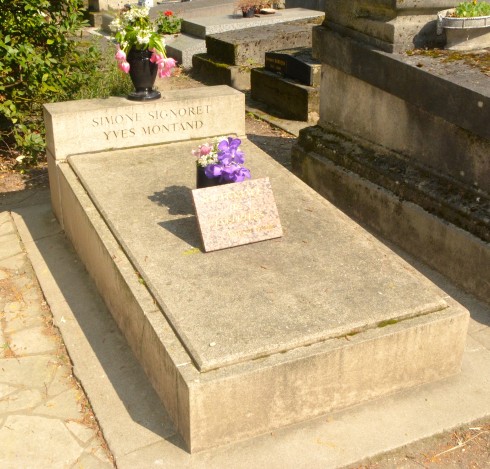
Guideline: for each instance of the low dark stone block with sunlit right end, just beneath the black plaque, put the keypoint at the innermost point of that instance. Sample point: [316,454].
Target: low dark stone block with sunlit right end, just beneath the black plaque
[285,96]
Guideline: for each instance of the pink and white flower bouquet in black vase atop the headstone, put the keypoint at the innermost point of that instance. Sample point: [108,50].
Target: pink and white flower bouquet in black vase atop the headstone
[140,51]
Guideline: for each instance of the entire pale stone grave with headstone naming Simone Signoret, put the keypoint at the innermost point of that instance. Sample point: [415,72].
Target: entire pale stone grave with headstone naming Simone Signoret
[241,341]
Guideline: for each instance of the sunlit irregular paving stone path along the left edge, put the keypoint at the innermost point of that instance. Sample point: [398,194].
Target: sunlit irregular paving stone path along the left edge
[45,419]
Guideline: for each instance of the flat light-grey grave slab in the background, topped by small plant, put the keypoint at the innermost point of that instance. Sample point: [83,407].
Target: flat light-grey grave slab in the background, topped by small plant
[202,27]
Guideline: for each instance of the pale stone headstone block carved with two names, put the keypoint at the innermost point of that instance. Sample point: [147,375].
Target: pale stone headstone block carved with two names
[101,124]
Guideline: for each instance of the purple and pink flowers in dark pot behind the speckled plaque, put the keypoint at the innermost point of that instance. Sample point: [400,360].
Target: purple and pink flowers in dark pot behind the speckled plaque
[220,163]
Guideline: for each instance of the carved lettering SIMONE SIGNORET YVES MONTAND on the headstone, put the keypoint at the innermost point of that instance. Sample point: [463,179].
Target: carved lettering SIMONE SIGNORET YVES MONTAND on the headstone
[154,122]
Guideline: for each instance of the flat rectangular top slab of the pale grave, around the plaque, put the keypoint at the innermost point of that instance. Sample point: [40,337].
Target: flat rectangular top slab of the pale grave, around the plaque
[315,303]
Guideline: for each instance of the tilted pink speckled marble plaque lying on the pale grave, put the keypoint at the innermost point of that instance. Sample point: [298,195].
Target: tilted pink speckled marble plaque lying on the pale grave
[235,214]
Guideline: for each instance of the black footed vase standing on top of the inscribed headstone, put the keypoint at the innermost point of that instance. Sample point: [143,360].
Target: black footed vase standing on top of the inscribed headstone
[143,74]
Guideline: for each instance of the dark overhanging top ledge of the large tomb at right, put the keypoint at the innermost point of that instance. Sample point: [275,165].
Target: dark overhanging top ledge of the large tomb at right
[468,108]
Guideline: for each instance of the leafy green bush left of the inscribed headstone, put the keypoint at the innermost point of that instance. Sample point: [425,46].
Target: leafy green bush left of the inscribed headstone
[40,61]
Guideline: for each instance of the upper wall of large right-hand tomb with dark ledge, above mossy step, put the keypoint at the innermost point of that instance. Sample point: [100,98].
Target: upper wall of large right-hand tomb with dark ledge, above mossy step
[411,115]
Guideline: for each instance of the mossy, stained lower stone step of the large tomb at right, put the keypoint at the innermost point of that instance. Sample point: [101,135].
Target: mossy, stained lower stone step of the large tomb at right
[364,194]
